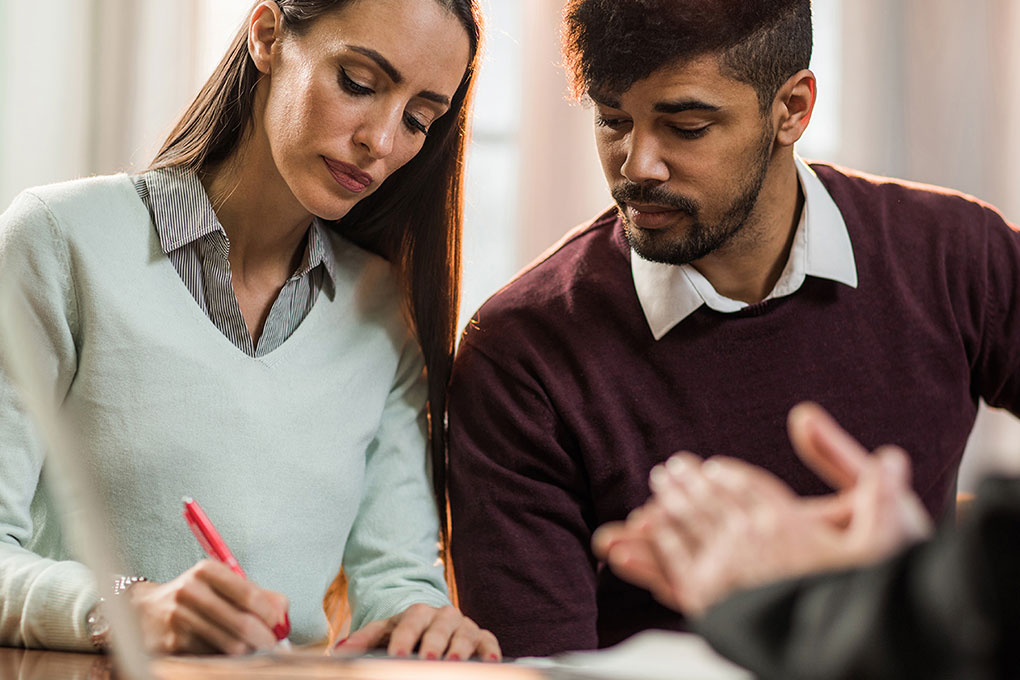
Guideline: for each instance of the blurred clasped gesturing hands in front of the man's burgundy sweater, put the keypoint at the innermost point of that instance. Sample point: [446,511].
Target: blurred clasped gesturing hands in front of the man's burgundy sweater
[716,527]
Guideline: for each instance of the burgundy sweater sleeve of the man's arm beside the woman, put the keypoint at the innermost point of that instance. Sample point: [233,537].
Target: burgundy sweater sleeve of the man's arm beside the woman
[521,539]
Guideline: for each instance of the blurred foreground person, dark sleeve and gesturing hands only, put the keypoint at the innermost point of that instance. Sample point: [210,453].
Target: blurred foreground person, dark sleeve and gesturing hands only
[948,608]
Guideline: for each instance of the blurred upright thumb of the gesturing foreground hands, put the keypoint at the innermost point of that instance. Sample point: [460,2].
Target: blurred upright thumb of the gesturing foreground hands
[825,447]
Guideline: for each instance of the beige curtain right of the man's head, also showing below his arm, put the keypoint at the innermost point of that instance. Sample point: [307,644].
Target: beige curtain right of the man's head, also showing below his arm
[932,93]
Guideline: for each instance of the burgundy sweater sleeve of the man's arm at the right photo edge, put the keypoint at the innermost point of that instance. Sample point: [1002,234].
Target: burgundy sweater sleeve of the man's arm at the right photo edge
[998,365]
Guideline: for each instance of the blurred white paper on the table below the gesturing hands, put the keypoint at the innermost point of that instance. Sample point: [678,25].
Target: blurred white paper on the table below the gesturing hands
[653,655]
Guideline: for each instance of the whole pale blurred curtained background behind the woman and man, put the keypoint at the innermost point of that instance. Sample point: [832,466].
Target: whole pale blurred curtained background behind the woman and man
[927,90]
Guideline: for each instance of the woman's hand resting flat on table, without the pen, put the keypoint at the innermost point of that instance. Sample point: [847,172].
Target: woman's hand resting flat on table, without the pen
[437,633]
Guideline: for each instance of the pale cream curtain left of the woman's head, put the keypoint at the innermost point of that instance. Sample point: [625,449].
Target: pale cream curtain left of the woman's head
[92,86]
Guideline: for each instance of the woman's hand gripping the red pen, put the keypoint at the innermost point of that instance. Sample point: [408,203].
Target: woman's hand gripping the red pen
[208,610]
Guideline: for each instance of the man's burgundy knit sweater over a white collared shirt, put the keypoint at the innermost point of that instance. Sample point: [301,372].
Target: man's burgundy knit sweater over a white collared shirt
[563,401]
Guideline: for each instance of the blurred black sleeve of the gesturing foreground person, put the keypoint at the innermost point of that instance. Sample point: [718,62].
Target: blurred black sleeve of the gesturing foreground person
[946,609]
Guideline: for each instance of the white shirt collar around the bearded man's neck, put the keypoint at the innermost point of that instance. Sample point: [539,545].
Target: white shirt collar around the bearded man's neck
[669,294]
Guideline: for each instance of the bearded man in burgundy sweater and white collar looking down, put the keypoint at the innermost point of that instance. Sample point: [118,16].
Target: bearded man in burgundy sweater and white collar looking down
[731,283]
